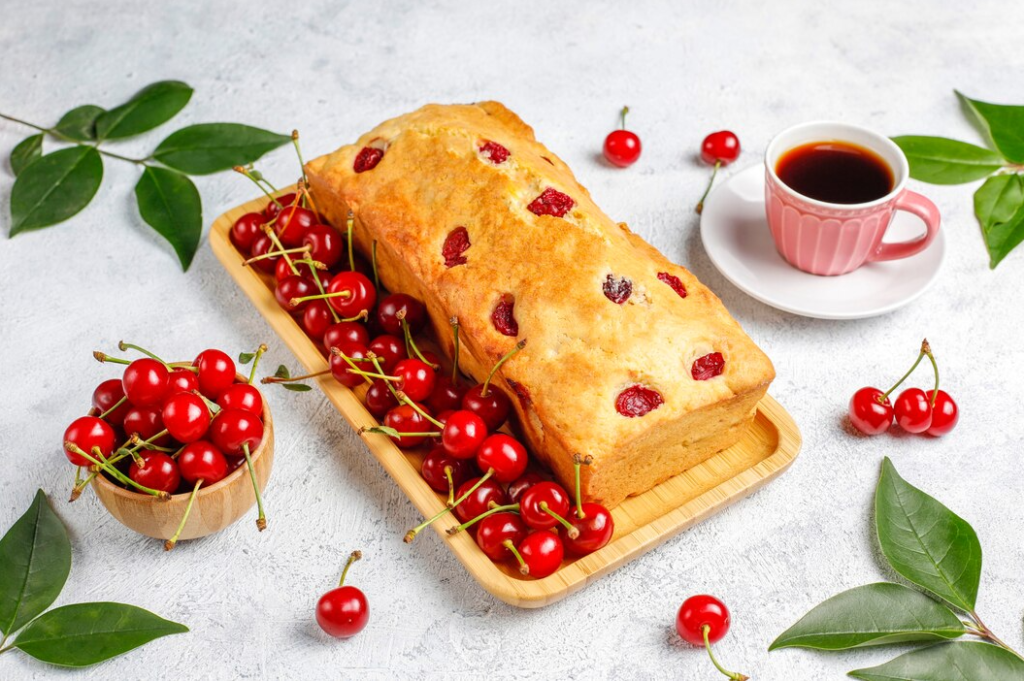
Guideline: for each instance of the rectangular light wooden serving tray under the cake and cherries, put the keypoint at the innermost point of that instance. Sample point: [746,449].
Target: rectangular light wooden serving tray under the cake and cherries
[643,523]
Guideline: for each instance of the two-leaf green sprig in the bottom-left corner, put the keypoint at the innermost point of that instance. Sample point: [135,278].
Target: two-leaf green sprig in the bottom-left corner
[35,563]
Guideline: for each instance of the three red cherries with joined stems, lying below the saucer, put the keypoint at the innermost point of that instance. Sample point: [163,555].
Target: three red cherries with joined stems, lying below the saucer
[916,411]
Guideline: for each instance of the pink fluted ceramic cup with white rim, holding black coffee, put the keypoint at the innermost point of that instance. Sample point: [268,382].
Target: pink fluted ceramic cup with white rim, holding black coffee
[836,239]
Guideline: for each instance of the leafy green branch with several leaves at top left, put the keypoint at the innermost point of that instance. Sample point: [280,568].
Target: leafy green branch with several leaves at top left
[53,188]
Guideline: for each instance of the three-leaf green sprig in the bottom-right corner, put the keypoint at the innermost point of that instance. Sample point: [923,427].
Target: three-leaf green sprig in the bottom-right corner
[938,551]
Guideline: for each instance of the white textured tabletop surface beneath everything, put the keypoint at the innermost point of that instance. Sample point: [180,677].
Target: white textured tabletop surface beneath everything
[333,70]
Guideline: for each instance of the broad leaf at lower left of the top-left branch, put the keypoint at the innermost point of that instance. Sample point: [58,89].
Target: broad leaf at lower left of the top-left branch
[55,188]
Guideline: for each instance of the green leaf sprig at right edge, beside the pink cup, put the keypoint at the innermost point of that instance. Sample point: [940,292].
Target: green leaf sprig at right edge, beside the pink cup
[999,203]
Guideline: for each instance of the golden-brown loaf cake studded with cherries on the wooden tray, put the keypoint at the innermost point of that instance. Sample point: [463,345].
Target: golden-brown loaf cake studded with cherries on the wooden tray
[628,358]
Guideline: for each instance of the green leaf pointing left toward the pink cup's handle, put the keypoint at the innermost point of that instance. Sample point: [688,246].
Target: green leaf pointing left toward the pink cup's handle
[943,161]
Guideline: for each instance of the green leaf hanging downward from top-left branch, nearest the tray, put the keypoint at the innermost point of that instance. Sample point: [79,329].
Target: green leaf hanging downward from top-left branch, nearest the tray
[170,204]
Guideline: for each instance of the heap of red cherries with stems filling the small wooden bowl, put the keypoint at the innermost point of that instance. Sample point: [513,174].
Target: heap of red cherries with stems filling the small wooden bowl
[181,427]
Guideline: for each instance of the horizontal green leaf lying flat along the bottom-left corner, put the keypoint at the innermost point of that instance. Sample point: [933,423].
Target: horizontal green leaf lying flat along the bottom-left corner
[89,633]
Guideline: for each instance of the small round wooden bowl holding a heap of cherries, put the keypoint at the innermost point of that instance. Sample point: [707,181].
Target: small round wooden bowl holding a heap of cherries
[216,507]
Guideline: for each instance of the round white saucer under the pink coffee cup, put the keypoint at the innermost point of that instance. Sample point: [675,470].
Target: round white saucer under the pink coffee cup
[736,236]
